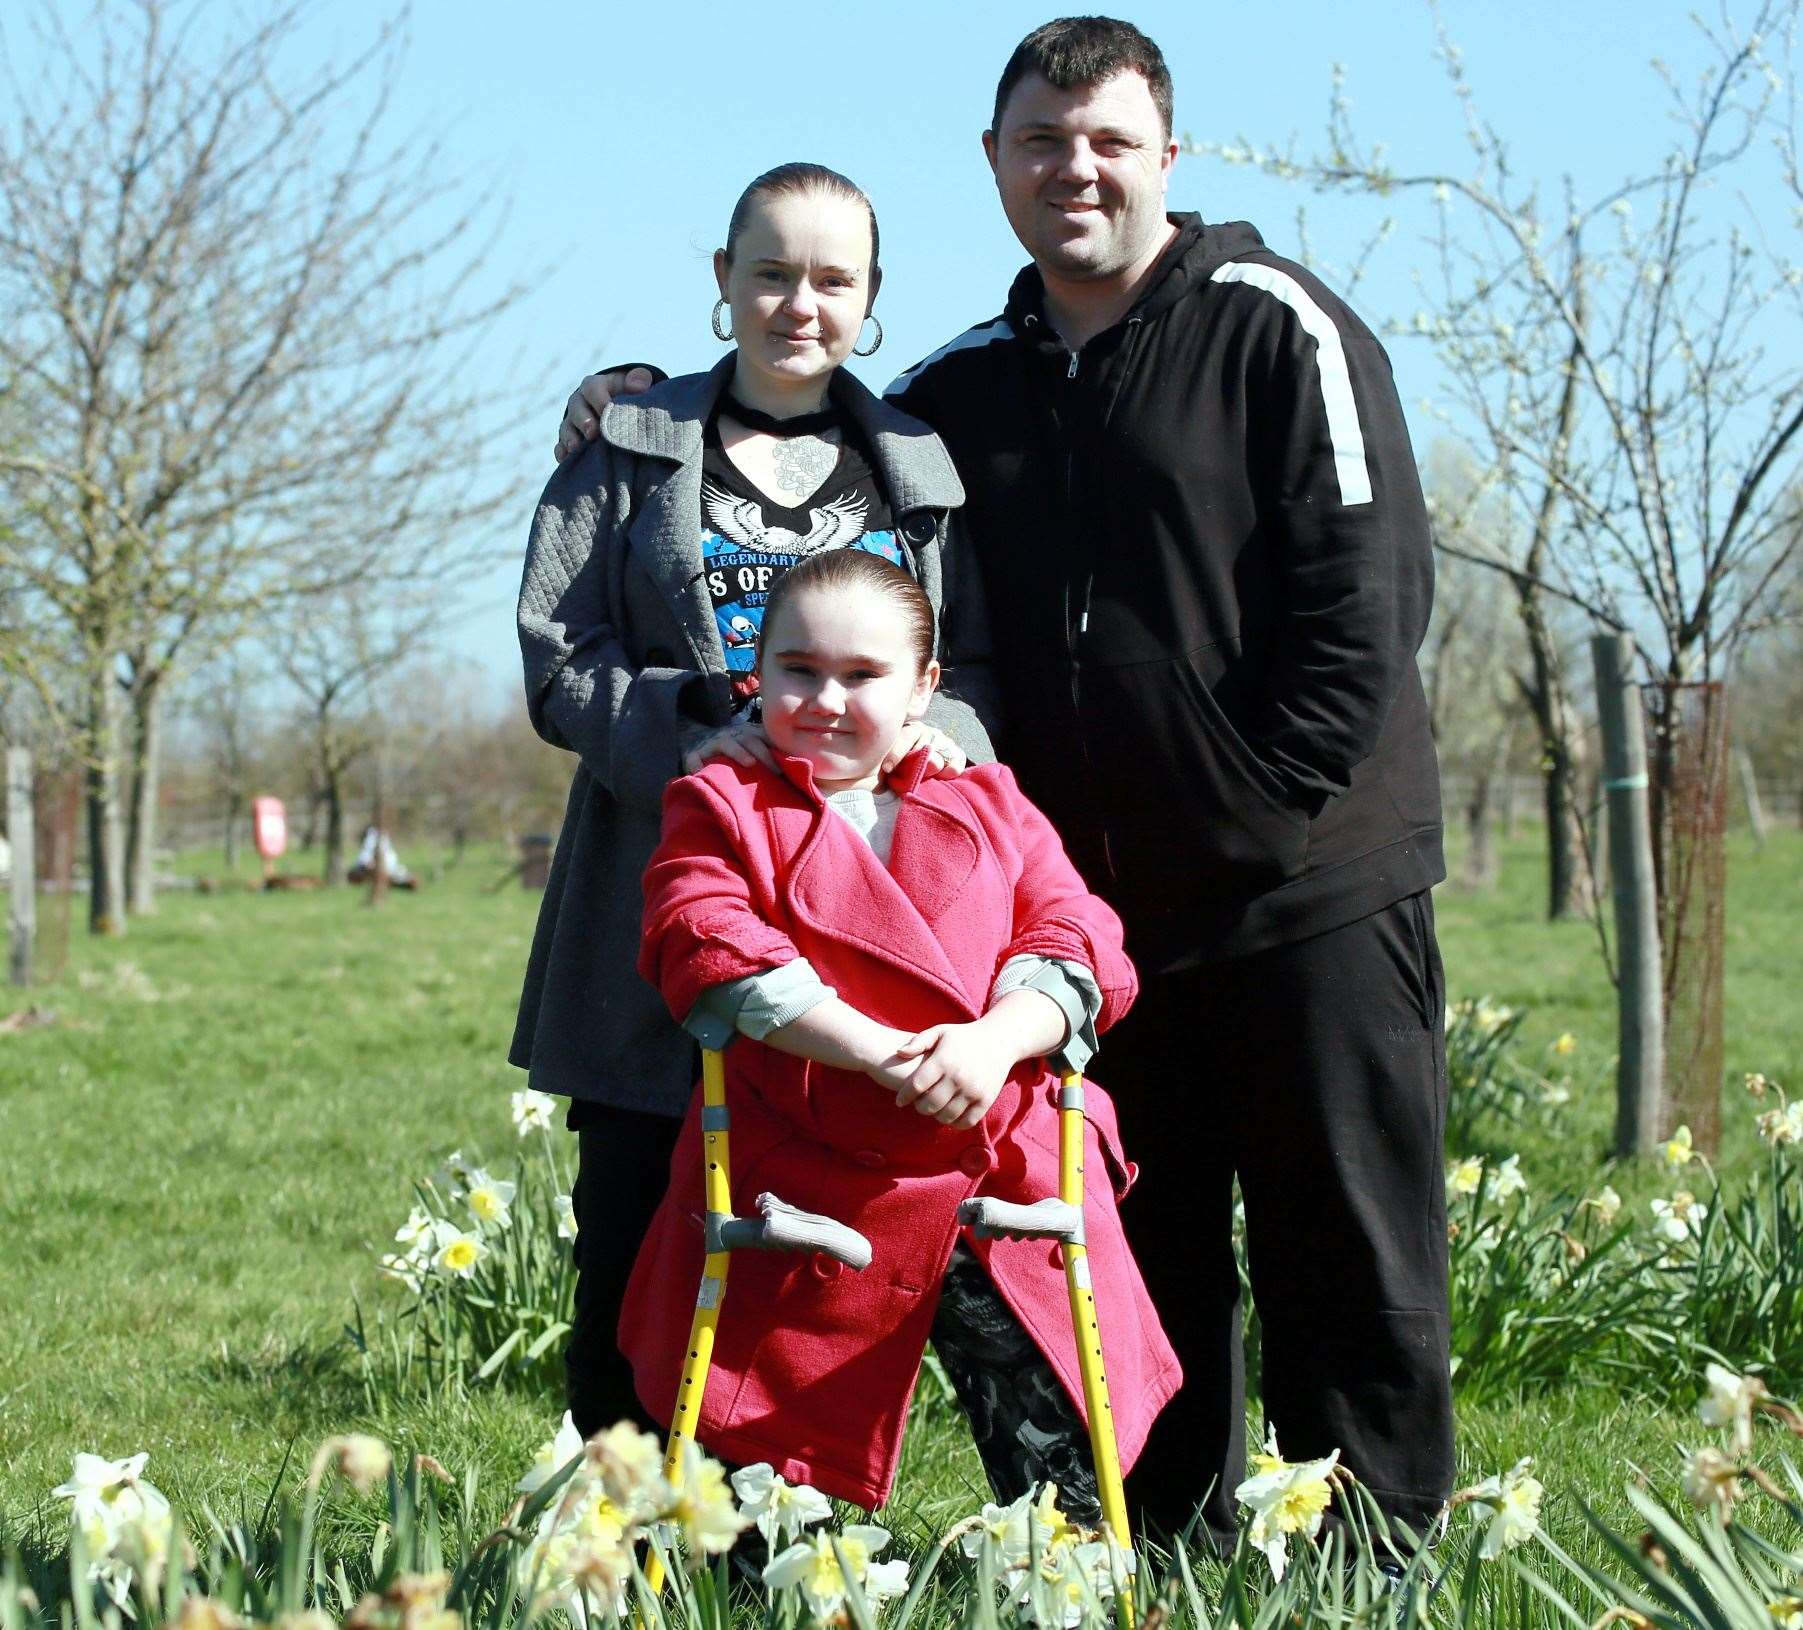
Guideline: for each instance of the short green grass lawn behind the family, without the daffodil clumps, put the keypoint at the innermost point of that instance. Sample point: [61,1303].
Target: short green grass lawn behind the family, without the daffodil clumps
[201,1162]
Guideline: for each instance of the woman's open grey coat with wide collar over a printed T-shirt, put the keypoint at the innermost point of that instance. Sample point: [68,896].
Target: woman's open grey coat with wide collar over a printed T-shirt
[625,668]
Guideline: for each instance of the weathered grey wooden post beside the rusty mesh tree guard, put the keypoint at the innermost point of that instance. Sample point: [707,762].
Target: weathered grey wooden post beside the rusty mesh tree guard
[1640,1076]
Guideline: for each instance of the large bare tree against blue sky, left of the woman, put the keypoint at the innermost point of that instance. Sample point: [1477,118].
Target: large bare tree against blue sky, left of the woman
[221,289]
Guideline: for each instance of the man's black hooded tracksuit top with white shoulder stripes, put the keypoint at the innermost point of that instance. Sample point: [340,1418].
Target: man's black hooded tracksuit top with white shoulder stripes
[1209,572]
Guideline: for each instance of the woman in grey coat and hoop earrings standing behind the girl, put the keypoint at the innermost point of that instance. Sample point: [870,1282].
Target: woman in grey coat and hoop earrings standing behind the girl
[652,558]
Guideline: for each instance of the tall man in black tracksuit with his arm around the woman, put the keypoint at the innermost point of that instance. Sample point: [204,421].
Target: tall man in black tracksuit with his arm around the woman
[1207,563]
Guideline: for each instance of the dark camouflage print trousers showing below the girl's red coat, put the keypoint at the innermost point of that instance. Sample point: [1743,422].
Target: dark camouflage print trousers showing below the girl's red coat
[1021,1418]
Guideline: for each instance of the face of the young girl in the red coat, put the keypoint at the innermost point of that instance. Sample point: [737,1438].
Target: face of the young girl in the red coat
[839,681]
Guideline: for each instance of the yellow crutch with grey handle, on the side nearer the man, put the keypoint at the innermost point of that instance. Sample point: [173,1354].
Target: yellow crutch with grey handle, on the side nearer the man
[1063,1220]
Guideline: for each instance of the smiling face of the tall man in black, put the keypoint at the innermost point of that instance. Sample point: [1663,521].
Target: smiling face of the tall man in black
[1083,174]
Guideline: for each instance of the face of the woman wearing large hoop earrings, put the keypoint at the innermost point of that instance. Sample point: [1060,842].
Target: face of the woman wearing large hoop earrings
[800,286]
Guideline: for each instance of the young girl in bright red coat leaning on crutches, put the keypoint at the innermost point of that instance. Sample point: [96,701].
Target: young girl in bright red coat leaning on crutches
[899,960]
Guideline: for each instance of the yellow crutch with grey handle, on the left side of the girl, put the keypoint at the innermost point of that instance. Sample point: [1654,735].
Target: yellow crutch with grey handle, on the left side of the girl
[778,1229]
